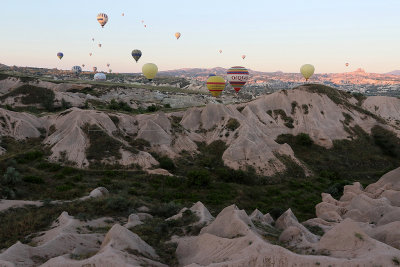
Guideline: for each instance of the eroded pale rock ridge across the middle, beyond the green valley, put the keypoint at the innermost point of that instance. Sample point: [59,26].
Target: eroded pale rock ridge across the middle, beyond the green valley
[86,136]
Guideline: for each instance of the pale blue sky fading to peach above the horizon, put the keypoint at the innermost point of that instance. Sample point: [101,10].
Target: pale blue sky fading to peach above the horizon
[274,35]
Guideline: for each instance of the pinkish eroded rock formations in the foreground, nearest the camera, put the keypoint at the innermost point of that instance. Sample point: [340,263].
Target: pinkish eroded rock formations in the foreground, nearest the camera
[360,229]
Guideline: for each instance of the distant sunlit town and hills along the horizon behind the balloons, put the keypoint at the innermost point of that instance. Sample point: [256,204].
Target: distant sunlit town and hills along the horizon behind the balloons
[357,81]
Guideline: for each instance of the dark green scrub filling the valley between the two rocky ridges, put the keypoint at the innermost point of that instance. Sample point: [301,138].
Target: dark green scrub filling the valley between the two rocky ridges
[202,177]
